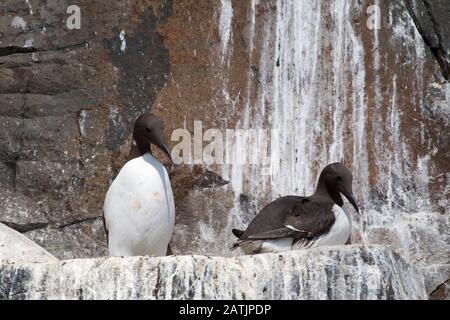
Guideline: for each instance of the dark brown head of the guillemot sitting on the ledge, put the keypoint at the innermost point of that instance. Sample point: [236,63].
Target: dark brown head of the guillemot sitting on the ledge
[335,179]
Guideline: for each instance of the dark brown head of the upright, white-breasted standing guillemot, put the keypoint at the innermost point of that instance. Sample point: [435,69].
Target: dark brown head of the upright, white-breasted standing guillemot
[148,130]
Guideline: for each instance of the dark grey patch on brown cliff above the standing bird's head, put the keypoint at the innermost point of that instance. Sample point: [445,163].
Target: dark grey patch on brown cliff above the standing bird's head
[145,65]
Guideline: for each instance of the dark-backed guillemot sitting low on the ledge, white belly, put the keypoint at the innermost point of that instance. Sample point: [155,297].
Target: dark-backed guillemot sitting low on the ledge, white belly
[293,222]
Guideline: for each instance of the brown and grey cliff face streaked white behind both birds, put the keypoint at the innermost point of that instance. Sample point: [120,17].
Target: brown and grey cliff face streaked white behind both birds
[332,87]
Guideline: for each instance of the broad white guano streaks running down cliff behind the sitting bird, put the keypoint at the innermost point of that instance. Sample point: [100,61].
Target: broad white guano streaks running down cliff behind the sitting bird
[312,70]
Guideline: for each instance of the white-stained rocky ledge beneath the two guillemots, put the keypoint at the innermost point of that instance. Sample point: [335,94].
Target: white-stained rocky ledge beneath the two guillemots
[347,272]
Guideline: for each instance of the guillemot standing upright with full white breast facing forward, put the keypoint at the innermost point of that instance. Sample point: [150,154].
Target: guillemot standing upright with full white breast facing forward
[139,211]
